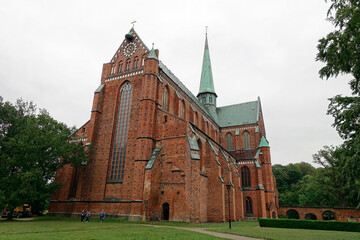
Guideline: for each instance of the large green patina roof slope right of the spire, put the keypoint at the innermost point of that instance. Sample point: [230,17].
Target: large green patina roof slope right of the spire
[239,114]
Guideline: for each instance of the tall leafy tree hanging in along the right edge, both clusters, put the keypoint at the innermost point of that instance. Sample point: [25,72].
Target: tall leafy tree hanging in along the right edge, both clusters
[340,51]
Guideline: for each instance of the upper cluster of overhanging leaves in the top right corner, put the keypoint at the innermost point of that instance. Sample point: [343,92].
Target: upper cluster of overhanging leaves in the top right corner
[339,50]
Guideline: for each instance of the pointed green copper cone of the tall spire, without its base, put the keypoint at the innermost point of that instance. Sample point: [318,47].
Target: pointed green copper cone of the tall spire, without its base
[206,82]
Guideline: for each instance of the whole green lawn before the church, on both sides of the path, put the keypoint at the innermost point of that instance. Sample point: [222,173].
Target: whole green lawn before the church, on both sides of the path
[65,228]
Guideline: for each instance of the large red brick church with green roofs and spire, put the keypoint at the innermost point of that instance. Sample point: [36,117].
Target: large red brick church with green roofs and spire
[162,153]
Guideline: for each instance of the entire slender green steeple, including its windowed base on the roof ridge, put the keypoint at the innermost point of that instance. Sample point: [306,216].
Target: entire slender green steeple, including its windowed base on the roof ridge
[207,93]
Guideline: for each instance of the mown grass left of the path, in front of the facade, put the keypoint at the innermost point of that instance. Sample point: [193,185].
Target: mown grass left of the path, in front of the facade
[65,228]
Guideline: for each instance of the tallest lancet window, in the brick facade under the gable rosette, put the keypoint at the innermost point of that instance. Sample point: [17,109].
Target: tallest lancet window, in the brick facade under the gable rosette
[120,138]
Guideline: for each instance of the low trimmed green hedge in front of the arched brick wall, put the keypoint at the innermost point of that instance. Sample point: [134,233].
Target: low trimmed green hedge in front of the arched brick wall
[310,224]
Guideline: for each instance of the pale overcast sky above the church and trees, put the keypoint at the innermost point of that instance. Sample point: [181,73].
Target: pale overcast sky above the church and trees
[51,53]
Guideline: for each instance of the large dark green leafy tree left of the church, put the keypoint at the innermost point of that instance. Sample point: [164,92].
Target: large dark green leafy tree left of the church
[33,146]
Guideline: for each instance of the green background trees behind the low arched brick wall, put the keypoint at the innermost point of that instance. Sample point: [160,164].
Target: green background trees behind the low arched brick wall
[314,187]
